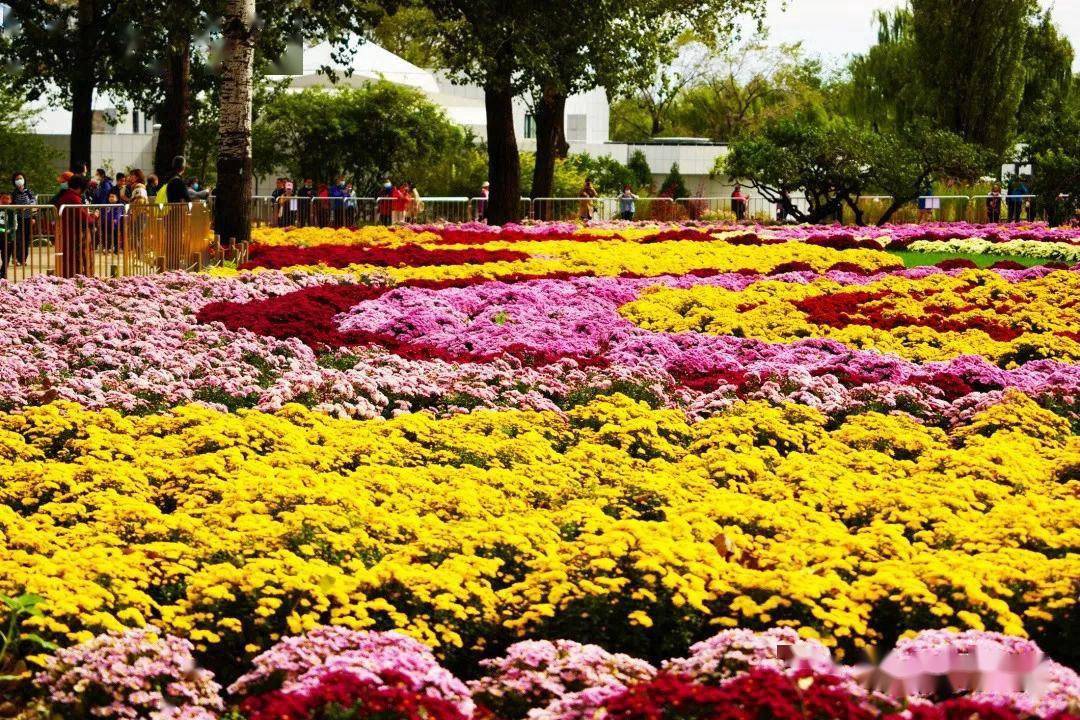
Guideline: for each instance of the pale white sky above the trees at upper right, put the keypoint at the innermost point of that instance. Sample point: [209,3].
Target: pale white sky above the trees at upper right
[835,29]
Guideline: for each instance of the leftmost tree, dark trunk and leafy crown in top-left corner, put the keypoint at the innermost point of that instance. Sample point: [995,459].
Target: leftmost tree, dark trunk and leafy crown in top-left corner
[66,48]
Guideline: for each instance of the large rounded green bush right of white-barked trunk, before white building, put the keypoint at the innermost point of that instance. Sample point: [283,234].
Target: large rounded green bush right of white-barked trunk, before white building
[366,132]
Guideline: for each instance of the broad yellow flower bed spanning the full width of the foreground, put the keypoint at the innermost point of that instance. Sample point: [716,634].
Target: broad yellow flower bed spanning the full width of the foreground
[234,529]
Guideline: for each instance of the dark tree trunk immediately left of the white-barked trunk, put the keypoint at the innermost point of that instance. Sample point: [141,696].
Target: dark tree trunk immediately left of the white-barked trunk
[175,110]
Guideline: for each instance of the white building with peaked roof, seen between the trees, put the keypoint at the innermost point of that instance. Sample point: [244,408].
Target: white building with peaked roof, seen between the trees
[125,138]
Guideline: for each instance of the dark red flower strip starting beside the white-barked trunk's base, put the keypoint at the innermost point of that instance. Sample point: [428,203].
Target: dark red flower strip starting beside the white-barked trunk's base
[343,256]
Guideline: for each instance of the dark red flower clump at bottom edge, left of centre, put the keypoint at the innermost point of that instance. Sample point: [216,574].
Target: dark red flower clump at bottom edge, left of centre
[344,696]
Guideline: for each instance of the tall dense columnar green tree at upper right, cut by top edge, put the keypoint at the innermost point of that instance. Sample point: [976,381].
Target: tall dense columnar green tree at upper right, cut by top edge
[971,61]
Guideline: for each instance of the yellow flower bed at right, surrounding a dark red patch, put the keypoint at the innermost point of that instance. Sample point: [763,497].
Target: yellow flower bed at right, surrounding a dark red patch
[769,310]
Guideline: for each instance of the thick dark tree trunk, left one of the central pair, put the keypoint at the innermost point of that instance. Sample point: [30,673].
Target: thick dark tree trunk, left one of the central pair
[505,169]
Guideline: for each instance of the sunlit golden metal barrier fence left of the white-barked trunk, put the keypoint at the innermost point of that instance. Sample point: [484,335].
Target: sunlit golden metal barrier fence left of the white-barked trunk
[103,241]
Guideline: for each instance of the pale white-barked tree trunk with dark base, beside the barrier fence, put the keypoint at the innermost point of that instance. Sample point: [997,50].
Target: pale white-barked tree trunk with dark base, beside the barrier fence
[232,207]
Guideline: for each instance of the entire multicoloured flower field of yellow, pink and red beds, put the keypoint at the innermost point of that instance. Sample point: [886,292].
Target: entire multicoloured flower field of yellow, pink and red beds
[550,472]
